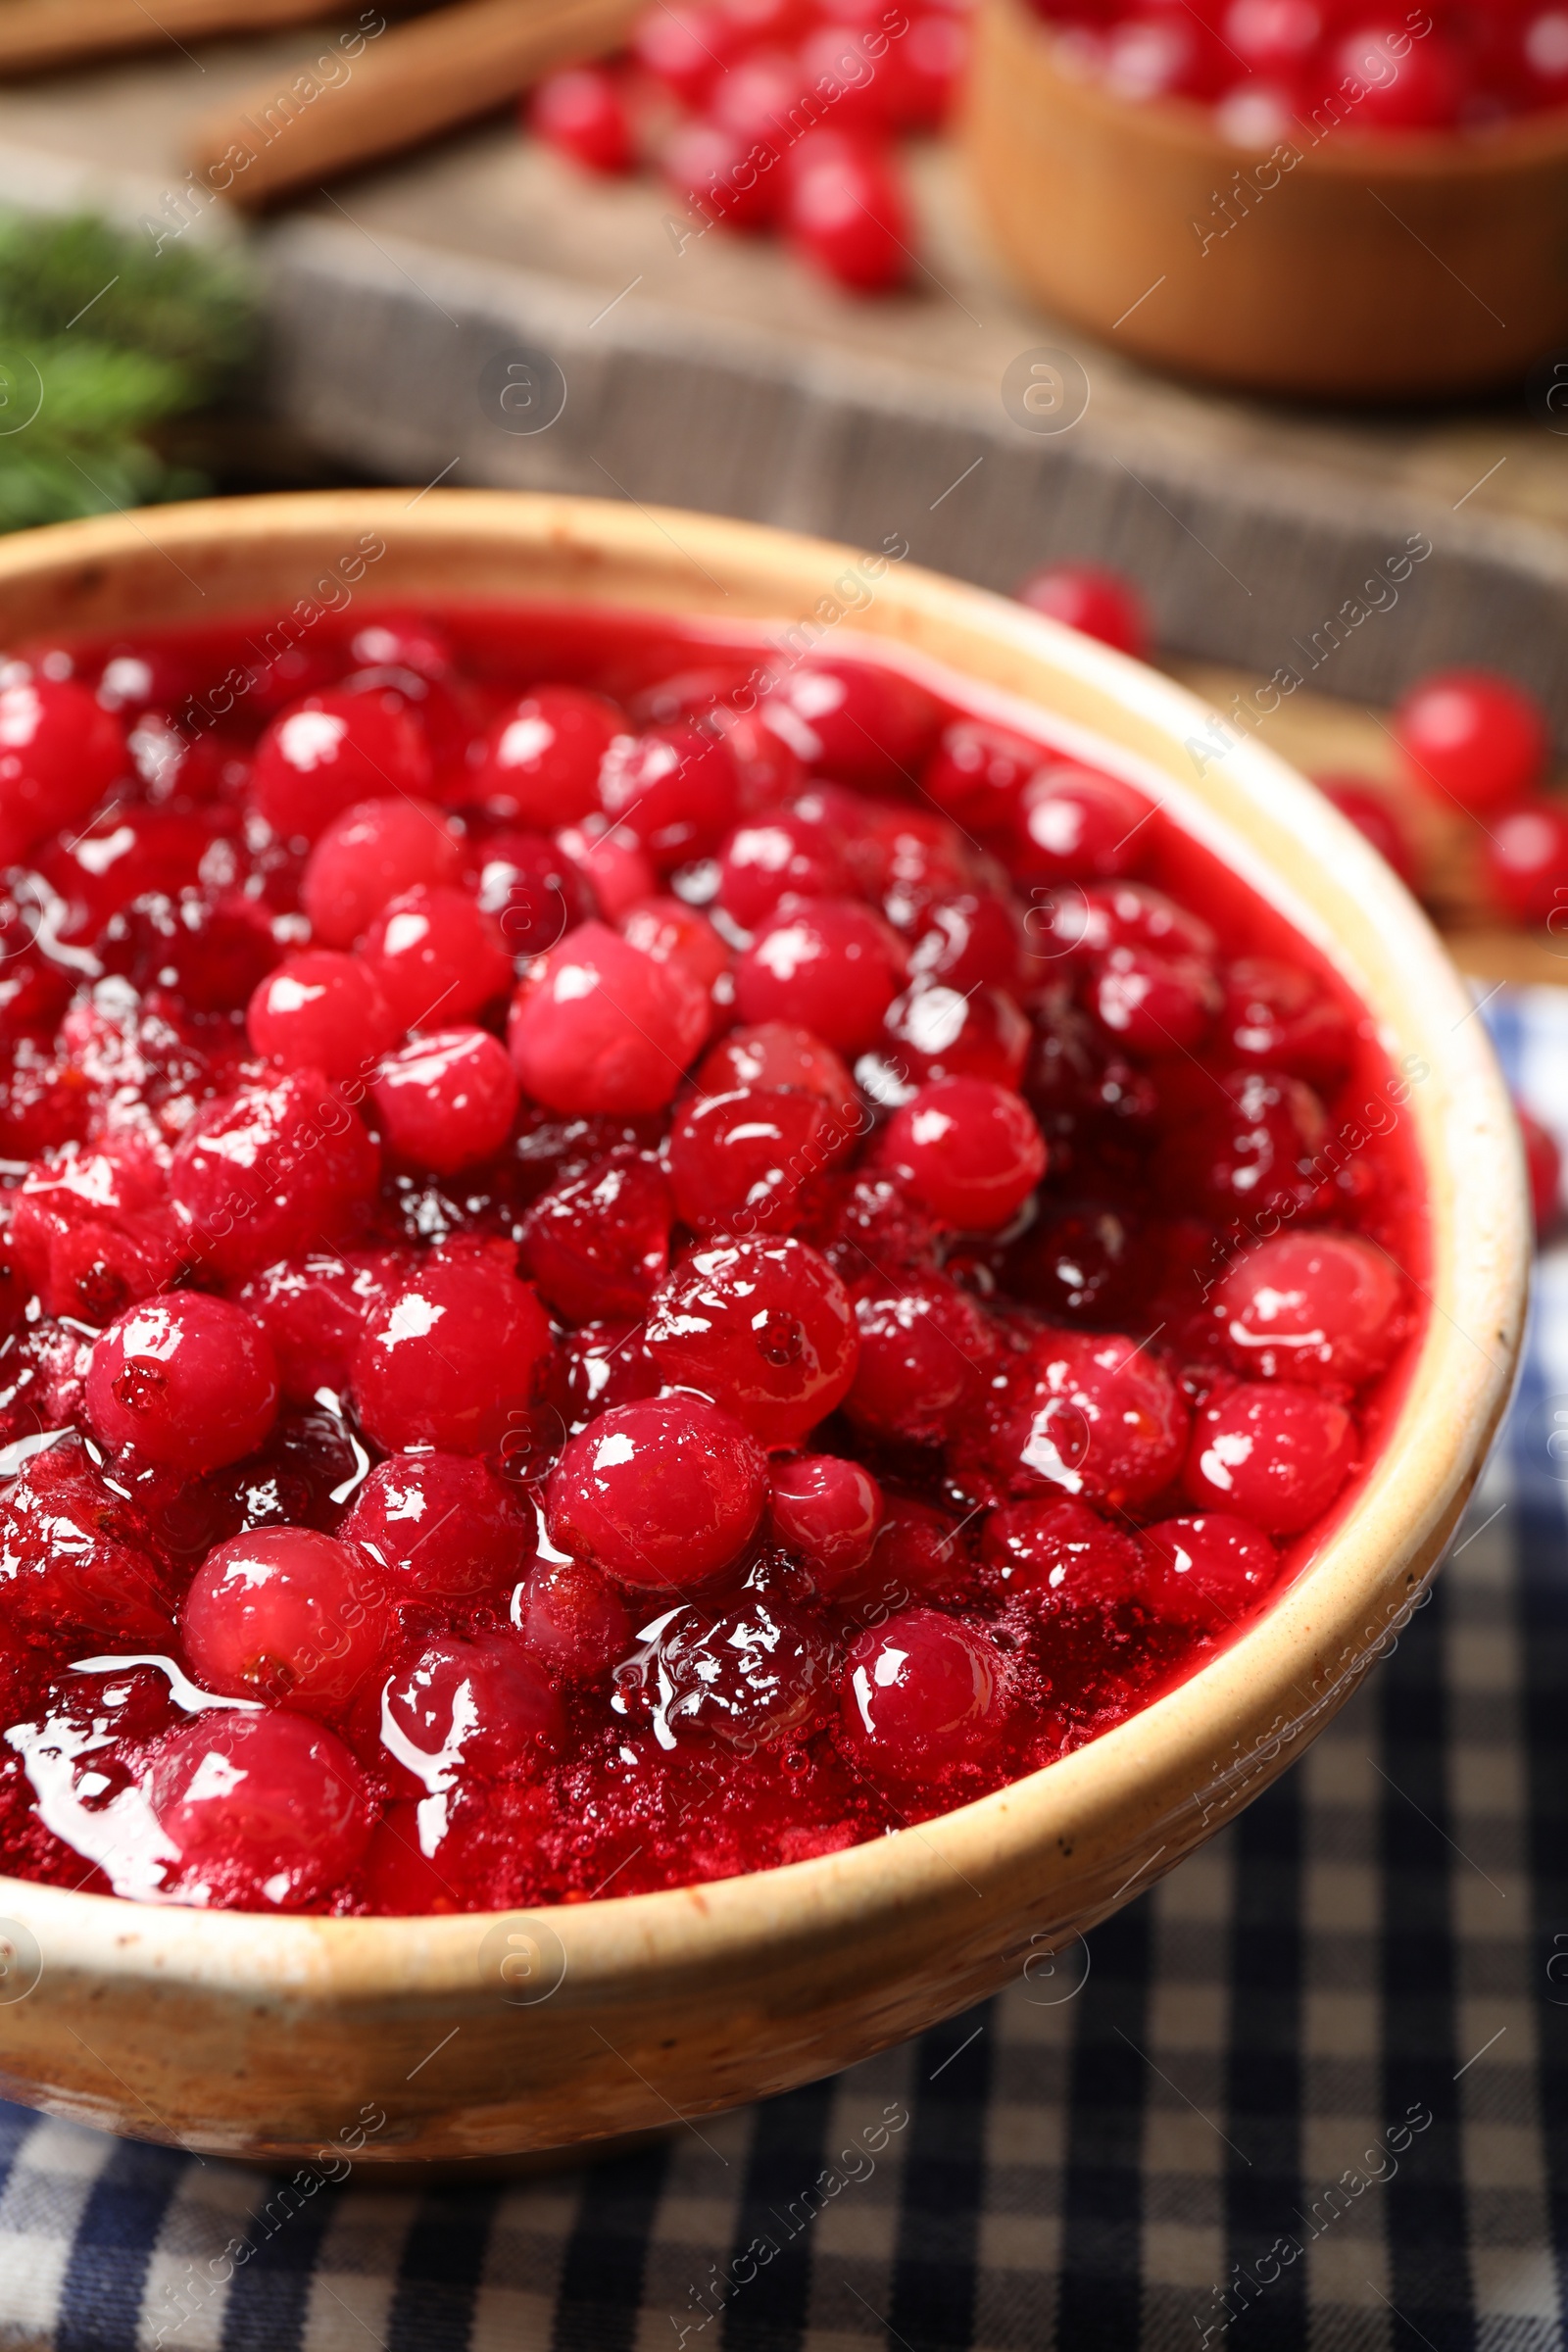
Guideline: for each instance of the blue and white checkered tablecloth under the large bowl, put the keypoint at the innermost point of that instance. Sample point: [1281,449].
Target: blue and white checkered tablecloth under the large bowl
[1311,2092]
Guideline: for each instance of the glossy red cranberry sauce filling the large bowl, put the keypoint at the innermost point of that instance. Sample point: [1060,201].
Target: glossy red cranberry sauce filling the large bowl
[631,1259]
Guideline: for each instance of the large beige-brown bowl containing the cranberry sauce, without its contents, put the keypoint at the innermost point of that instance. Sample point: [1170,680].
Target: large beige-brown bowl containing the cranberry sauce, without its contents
[490,2036]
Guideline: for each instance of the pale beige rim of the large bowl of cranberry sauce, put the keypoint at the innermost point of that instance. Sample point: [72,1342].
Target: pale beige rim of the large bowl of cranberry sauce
[1365,1577]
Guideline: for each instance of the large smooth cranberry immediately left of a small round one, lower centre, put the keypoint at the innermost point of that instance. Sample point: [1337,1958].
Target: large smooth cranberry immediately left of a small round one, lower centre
[659,1495]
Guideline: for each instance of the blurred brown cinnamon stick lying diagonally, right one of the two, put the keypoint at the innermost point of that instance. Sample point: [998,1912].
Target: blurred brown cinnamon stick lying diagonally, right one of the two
[403,88]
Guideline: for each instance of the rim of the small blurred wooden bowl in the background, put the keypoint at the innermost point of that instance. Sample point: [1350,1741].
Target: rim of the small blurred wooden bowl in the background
[1520,145]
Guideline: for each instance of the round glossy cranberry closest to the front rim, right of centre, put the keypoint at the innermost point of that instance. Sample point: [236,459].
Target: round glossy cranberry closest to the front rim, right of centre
[923,1692]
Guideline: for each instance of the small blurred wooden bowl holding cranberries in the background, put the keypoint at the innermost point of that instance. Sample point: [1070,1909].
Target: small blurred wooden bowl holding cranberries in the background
[1369,269]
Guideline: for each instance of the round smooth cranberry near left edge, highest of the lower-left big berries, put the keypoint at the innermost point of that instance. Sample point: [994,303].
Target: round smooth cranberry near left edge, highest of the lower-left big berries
[187,1382]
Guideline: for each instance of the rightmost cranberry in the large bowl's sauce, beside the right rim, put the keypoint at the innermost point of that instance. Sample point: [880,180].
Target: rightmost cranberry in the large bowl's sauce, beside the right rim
[1322,1309]
